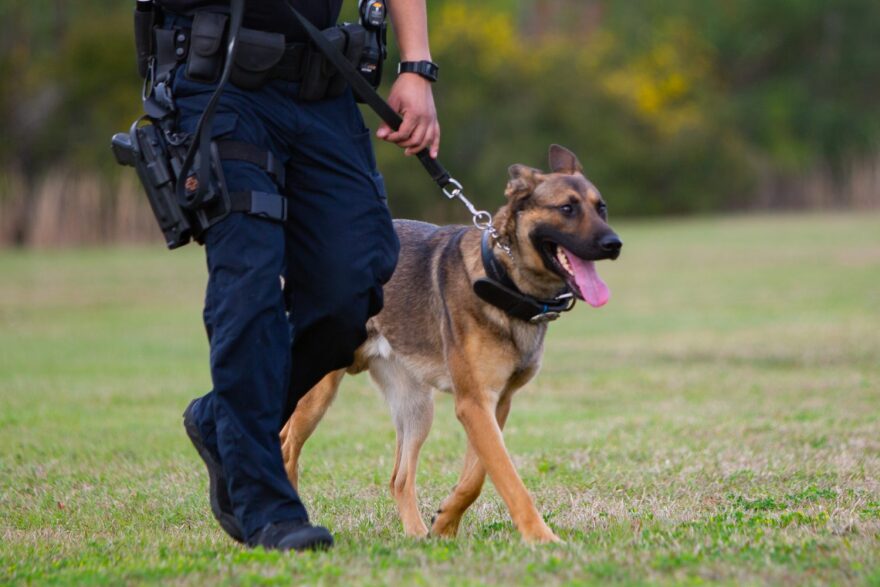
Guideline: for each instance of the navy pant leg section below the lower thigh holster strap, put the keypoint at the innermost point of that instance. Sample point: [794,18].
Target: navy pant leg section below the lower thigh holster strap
[249,367]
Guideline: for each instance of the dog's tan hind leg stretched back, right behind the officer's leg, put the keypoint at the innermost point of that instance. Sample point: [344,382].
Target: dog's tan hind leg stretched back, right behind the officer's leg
[306,417]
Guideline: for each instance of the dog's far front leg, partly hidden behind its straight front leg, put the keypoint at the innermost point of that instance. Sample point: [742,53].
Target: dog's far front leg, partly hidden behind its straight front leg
[470,483]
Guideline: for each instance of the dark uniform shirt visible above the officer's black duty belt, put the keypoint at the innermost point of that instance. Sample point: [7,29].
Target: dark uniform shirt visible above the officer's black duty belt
[270,15]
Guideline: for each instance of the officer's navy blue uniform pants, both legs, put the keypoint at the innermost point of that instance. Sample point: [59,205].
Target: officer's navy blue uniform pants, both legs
[270,345]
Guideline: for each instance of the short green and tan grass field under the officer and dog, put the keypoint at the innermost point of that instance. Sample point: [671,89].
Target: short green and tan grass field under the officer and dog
[718,421]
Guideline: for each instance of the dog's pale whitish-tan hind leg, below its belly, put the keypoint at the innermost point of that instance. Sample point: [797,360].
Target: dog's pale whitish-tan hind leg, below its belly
[412,409]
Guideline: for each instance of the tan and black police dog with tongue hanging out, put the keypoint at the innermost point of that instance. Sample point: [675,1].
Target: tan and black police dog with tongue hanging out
[434,333]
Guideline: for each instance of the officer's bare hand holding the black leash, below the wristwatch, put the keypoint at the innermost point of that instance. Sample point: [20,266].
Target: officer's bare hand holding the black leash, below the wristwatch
[411,96]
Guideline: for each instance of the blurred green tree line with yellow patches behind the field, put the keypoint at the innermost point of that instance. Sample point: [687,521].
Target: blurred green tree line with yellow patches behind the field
[674,106]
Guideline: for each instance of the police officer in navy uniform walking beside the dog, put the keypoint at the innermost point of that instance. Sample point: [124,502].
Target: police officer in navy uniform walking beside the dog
[335,251]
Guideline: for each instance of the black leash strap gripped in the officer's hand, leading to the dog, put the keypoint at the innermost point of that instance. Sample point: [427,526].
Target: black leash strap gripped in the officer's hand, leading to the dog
[365,92]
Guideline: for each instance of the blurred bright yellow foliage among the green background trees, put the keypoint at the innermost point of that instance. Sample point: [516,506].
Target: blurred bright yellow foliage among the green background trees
[659,84]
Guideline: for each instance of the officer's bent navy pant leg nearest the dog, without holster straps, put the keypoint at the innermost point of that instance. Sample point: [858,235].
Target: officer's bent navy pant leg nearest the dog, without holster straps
[341,245]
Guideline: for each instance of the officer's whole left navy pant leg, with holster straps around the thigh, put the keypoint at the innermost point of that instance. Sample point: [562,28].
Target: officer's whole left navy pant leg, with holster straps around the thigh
[246,321]
